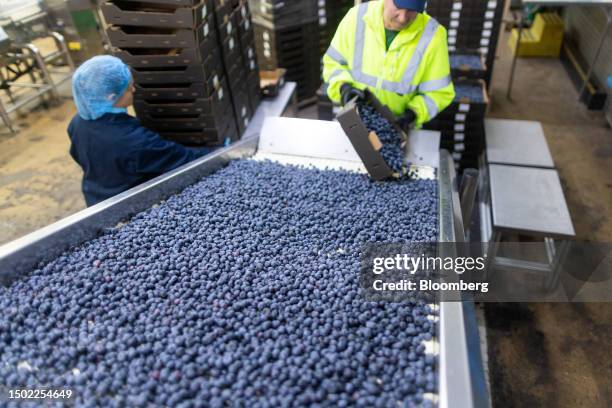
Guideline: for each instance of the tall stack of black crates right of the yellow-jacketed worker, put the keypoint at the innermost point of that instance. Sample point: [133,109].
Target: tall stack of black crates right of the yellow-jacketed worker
[473,31]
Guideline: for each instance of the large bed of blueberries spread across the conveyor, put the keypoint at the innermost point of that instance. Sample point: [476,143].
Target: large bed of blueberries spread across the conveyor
[243,290]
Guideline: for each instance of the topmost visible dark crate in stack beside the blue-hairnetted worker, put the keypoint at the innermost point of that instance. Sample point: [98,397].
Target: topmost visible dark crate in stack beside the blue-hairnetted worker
[150,15]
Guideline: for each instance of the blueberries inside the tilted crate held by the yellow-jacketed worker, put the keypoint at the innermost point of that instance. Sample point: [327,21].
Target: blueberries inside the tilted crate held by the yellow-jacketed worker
[392,151]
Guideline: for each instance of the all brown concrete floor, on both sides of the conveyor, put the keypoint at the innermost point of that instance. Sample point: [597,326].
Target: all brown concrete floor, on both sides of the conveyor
[539,354]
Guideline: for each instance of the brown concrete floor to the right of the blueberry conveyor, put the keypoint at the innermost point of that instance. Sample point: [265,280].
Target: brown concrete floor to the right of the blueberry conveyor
[556,355]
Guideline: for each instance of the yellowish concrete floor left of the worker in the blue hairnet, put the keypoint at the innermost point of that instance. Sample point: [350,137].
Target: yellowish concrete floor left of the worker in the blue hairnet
[39,181]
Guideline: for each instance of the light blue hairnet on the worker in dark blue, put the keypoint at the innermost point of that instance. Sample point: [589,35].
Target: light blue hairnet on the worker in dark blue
[98,84]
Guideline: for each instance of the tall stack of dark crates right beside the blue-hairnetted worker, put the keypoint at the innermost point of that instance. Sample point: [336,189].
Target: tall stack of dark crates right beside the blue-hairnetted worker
[172,48]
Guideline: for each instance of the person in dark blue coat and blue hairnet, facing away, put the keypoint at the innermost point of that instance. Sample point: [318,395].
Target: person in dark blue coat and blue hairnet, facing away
[115,152]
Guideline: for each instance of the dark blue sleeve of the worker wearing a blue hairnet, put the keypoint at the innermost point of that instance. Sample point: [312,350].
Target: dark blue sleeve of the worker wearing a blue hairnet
[153,156]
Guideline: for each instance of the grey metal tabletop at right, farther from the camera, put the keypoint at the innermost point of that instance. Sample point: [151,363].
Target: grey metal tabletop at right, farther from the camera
[517,142]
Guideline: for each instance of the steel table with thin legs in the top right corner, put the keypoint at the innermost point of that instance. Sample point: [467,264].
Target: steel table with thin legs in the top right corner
[605,4]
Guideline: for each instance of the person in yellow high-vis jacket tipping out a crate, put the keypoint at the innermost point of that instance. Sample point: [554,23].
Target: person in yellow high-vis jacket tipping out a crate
[398,52]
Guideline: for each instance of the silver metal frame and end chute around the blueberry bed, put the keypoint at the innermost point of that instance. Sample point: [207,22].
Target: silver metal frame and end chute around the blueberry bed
[461,378]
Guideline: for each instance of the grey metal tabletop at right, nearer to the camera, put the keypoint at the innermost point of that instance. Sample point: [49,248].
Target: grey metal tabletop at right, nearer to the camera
[529,200]
